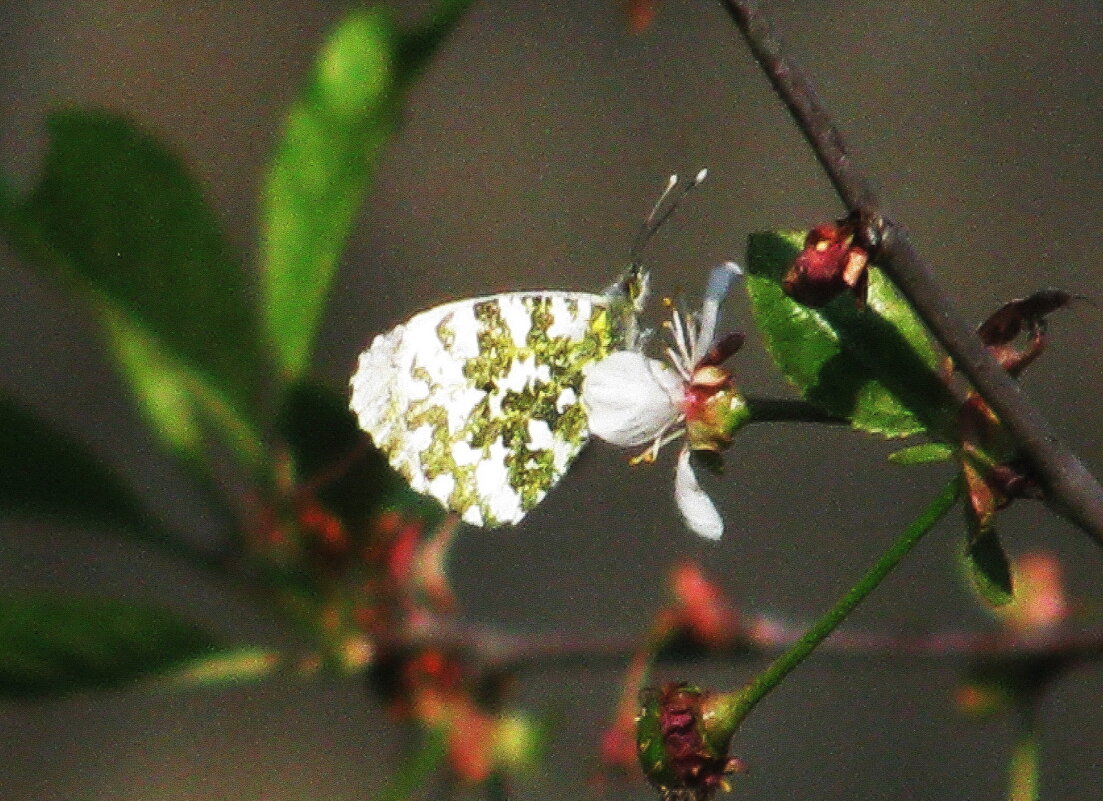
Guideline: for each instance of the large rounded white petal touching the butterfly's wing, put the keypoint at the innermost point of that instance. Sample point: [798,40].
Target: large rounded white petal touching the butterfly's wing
[630,400]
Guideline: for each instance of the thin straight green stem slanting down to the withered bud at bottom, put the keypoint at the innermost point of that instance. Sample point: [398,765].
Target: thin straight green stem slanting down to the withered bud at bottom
[735,707]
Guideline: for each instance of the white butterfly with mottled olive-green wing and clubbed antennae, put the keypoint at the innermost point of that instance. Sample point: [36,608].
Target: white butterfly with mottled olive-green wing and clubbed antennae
[477,402]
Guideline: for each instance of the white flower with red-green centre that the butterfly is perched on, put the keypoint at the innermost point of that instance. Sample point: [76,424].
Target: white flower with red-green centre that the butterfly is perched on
[633,400]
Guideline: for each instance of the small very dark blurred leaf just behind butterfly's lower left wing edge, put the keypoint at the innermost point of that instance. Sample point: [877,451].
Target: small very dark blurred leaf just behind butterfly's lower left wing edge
[335,457]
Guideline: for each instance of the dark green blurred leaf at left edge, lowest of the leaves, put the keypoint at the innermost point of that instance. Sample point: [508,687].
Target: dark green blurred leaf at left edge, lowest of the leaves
[51,645]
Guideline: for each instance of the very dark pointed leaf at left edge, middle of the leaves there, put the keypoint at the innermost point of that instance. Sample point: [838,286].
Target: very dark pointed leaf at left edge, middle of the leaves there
[46,472]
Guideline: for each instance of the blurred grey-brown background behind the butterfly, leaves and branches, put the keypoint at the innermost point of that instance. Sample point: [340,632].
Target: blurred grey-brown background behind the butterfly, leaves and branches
[531,149]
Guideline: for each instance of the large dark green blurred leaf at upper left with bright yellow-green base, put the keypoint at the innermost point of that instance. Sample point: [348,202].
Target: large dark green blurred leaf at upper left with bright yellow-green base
[119,217]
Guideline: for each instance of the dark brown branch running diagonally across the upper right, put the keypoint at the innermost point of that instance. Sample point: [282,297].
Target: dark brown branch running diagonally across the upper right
[1070,488]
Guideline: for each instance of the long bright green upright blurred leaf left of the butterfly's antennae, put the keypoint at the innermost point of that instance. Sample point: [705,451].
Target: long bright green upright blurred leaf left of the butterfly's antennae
[335,135]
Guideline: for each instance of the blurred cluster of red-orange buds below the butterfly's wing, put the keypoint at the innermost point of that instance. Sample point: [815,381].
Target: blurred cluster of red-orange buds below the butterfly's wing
[370,585]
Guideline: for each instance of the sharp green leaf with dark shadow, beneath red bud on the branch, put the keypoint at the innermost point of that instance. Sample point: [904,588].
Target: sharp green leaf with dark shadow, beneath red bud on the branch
[875,367]
